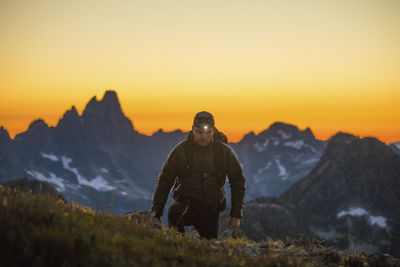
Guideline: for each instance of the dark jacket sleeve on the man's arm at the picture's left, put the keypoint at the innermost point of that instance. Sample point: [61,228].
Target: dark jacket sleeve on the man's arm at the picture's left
[166,179]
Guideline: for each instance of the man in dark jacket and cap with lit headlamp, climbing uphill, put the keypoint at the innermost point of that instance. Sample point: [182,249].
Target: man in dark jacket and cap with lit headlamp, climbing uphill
[197,167]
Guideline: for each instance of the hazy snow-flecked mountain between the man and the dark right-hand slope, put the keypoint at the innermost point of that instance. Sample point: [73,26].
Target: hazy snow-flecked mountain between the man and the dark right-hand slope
[276,158]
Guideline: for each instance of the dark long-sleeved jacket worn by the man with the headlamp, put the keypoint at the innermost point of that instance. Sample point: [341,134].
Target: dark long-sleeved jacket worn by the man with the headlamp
[204,187]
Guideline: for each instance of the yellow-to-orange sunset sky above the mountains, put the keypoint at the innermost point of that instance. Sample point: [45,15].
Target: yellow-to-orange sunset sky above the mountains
[328,65]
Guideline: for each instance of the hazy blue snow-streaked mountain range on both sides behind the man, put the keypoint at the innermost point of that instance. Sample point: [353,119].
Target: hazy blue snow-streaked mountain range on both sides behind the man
[98,156]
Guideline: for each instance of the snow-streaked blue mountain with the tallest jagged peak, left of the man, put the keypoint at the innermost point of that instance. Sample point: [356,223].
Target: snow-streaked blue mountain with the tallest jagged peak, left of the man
[97,156]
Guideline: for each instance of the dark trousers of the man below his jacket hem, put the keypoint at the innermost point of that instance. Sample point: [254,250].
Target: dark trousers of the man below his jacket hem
[205,219]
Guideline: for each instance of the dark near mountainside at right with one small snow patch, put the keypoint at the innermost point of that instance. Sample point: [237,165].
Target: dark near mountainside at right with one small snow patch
[351,198]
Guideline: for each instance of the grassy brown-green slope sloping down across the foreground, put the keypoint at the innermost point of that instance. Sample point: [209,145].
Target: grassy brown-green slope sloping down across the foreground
[38,230]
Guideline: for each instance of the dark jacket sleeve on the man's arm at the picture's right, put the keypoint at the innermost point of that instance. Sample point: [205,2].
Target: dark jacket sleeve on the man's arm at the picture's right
[237,184]
